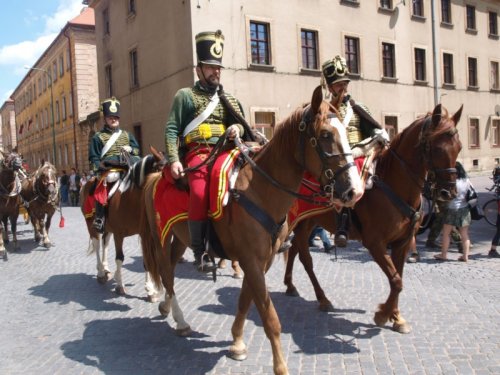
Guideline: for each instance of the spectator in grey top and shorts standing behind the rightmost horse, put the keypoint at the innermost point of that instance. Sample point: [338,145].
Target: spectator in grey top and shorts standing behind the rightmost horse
[457,214]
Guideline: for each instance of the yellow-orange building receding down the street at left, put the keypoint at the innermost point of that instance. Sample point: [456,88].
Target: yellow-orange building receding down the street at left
[55,97]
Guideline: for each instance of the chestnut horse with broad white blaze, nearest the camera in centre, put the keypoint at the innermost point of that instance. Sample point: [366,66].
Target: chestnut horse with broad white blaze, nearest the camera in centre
[304,141]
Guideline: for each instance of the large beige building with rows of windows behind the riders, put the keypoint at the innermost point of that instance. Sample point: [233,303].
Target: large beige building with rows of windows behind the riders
[404,57]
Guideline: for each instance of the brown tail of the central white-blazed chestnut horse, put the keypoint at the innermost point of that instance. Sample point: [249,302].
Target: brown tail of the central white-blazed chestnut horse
[148,234]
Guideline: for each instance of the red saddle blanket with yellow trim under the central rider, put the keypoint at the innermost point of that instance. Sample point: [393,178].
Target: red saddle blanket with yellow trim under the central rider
[171,204]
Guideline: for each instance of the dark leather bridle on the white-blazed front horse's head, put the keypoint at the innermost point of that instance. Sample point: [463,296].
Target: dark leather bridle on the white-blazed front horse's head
[307,134]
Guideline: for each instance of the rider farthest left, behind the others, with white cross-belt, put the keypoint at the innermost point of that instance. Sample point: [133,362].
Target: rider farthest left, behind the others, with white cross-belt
[107,145]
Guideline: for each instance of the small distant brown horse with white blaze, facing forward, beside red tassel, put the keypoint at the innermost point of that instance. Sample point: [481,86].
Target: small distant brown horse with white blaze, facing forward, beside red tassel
[40,196]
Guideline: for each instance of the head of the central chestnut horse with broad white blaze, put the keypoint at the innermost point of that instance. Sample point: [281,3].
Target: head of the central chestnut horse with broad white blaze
[326,152]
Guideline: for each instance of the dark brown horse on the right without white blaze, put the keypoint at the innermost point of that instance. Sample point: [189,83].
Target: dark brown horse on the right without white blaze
[388,214]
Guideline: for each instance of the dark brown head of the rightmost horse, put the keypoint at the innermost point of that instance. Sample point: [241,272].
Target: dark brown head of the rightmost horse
[441,146]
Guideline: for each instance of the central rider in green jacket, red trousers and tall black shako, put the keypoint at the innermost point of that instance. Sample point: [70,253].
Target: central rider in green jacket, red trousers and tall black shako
[196,122]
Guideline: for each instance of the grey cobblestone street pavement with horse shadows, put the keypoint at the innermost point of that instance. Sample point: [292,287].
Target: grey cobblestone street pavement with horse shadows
[56,319]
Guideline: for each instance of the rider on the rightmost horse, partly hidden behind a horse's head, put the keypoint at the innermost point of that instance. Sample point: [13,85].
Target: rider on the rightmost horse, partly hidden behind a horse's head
[363,132]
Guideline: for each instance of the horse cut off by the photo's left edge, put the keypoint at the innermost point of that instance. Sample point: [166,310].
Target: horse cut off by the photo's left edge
[10,186]
